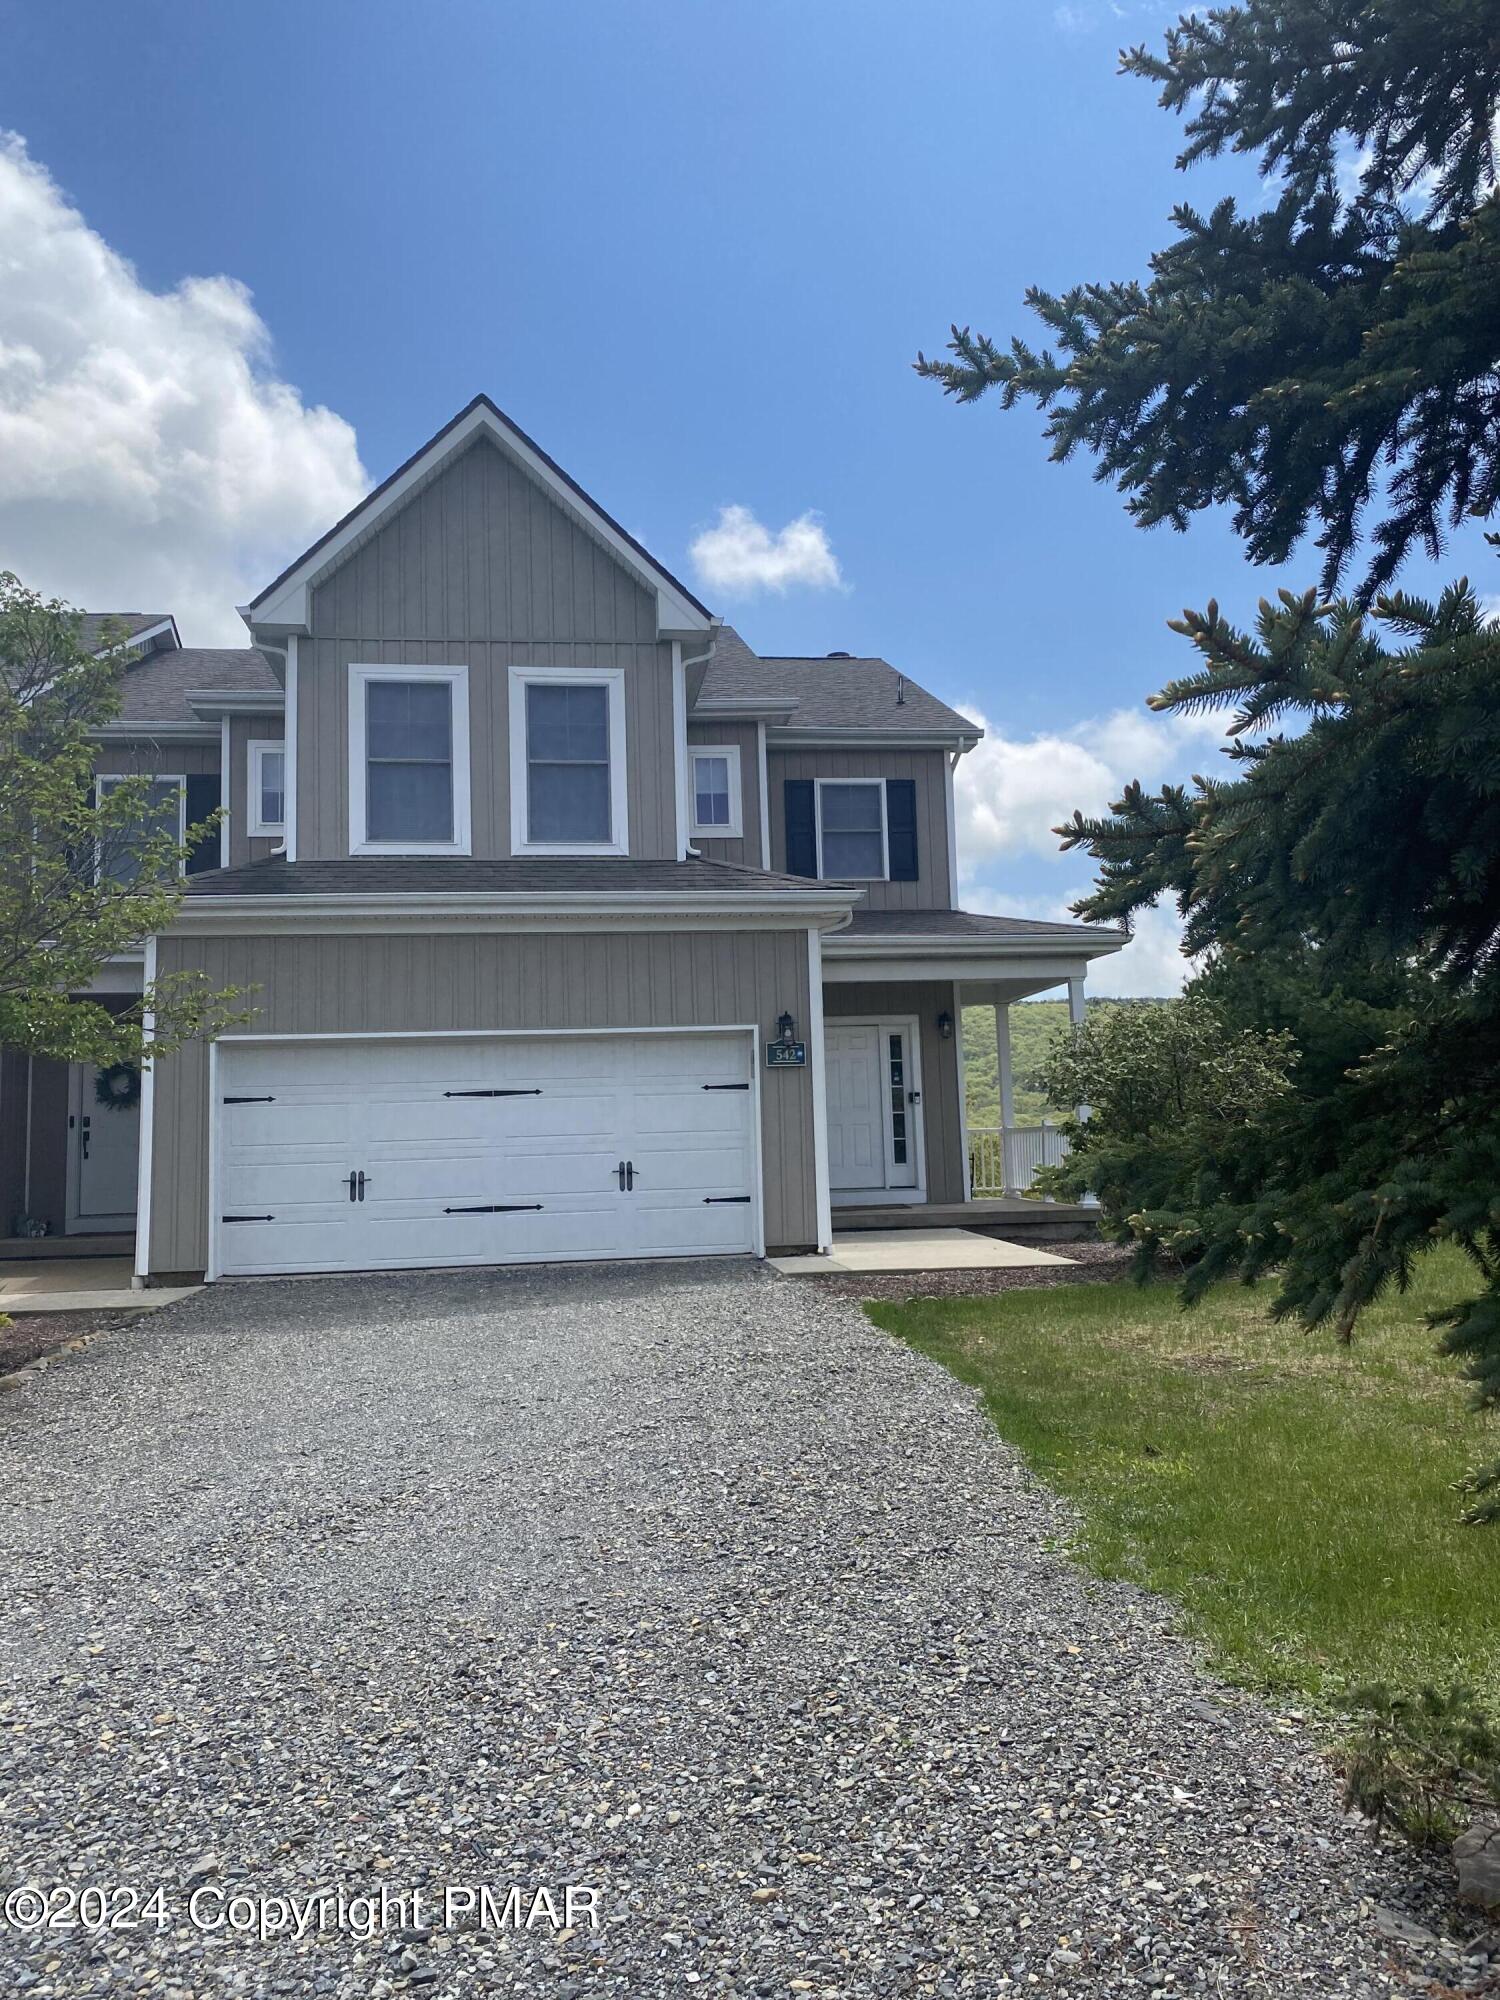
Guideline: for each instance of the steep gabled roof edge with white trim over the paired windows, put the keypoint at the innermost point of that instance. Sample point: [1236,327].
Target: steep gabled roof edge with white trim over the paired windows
[283,603]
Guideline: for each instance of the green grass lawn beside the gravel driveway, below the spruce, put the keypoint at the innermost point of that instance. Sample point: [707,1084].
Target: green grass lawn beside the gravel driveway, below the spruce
[1293,1495]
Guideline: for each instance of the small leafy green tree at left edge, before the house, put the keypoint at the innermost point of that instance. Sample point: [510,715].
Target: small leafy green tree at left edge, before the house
[85,873]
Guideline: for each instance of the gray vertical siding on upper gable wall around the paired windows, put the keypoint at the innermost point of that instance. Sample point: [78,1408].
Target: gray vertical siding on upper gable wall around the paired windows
[483,569]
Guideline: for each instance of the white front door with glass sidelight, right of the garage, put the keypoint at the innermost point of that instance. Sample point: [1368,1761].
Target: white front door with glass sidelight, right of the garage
[875,1109]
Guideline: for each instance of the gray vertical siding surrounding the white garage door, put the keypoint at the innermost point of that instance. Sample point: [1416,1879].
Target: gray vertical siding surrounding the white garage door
[505,981]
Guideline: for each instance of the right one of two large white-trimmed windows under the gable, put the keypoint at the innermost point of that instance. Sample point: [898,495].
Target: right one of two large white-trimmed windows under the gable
[567,761]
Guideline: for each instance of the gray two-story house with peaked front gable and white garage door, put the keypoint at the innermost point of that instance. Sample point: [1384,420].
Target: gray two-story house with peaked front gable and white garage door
[573,927]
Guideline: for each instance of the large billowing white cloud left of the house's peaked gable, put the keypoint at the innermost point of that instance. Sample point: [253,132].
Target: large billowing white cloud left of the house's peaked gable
[149,455]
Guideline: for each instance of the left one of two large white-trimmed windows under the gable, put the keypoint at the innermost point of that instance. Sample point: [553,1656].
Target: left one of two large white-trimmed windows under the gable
[409,761]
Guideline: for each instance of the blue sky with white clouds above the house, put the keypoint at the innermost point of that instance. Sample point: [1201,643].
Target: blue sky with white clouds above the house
[693,249]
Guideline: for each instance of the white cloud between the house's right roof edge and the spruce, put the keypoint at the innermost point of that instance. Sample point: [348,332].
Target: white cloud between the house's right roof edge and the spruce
[1011,793]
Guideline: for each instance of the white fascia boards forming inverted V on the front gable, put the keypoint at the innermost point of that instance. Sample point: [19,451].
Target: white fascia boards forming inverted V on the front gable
[289,607]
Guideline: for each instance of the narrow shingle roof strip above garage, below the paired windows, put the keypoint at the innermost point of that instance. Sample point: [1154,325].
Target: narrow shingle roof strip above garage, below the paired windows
[459,875]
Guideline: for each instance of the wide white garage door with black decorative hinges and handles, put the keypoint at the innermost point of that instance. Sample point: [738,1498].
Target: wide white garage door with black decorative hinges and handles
[475,1151]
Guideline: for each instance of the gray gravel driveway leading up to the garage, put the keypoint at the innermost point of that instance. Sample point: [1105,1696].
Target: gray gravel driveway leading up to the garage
[679,1583]
